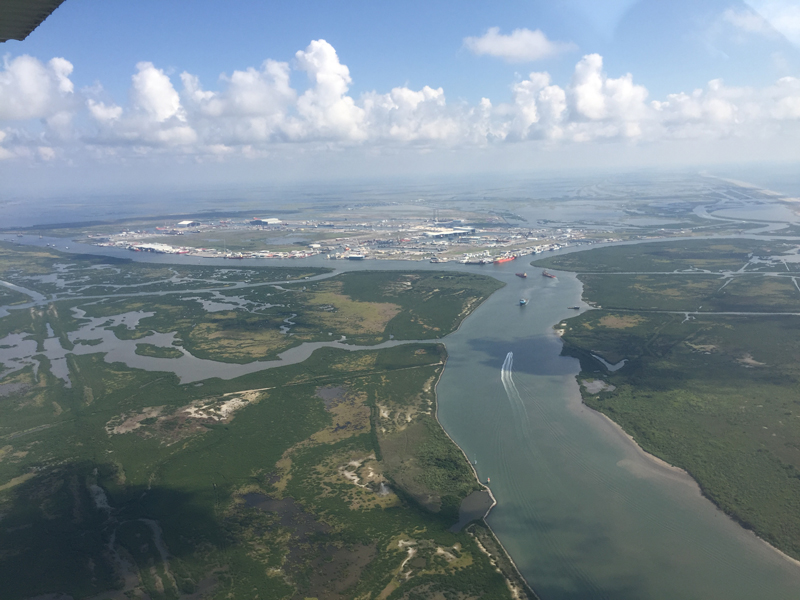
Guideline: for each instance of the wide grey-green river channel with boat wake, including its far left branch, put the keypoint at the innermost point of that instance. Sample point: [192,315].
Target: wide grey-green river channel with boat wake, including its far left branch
[583,512]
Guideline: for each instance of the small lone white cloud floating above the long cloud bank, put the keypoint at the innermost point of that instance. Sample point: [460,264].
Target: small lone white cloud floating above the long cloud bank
[521,45]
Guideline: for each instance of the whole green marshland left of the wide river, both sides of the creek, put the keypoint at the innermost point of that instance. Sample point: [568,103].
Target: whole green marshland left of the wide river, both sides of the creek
[329,478]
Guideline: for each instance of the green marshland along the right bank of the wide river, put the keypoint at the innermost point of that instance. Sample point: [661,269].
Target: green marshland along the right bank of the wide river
[715,394]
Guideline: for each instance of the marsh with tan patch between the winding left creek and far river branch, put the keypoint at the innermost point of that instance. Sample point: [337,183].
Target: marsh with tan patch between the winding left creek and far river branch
[239,315]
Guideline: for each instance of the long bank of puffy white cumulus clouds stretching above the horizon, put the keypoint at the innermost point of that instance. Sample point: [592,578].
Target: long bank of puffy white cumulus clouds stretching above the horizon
[258,110]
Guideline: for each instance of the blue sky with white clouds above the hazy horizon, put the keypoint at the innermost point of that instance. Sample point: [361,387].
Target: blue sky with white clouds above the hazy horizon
[109,94]
